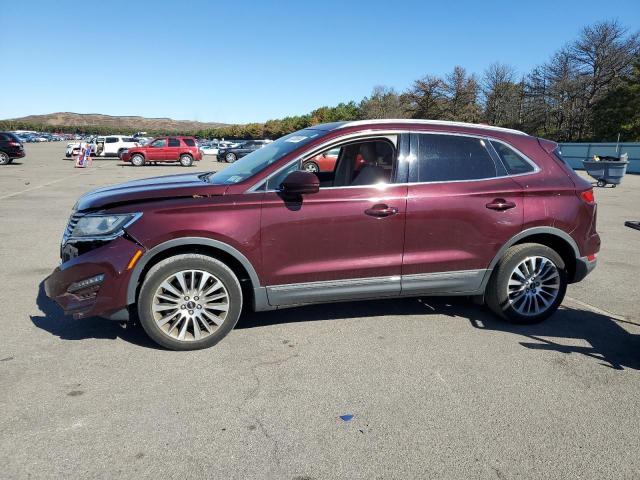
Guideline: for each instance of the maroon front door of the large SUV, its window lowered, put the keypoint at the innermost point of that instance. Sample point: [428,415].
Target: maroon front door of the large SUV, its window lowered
[343,242]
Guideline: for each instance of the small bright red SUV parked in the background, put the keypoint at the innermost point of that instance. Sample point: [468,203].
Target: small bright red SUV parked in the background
[164,149]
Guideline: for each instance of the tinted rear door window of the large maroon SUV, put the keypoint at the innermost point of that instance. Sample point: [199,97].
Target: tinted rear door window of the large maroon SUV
[443,158]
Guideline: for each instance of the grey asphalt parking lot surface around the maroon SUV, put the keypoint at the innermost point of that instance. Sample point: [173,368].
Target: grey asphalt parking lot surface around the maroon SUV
[437,388]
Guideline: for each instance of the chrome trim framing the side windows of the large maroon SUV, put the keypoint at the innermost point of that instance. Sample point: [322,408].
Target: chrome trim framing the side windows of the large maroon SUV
[381,133]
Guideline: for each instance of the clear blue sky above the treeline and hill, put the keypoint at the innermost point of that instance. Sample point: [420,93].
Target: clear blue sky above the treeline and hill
[247,61]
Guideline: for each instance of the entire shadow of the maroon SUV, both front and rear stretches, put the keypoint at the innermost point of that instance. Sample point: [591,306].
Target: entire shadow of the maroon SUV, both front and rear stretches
[567,331]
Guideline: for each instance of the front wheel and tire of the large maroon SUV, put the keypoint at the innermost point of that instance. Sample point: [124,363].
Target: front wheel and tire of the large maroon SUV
[181,318]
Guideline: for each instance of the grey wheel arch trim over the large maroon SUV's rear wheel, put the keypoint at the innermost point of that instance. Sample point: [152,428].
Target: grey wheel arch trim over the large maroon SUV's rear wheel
[552,237]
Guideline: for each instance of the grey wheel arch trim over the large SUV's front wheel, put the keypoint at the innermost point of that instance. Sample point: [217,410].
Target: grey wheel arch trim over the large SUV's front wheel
[227,254]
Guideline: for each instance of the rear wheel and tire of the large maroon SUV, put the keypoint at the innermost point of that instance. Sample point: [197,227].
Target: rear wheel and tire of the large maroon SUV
[523,298]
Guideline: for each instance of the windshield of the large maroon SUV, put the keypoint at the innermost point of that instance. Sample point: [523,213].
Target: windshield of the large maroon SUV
[257,161]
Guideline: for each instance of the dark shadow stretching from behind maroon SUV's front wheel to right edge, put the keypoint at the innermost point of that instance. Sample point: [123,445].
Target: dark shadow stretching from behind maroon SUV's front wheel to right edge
[606,338]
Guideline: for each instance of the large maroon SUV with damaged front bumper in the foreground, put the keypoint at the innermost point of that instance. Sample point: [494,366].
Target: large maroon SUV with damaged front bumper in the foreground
[437,208]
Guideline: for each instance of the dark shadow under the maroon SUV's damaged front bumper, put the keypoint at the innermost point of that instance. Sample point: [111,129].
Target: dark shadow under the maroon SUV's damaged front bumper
[54,321]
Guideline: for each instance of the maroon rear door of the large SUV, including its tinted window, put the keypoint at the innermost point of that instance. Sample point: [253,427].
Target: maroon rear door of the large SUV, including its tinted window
[462,207]
